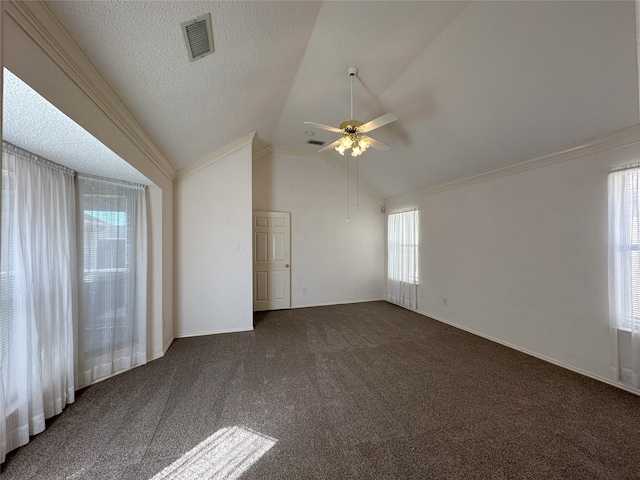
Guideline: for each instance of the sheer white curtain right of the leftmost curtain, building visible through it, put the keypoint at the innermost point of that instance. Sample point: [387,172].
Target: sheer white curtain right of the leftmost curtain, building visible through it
[113,266]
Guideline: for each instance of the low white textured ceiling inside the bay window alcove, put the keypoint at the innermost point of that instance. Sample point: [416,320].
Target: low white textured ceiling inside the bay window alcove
[32,123]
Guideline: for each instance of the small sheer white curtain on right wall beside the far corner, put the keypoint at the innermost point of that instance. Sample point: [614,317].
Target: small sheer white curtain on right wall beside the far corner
[402,258]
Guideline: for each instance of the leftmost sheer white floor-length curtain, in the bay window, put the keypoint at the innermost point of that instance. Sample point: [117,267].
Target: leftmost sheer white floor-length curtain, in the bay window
[37,295]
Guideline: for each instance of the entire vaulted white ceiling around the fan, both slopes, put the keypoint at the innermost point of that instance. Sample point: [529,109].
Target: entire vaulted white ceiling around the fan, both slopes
[475,85]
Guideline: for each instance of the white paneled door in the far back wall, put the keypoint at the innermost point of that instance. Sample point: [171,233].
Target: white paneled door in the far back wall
[271,260]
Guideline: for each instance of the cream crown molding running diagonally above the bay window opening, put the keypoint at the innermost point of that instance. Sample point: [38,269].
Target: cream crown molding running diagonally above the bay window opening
[39,22]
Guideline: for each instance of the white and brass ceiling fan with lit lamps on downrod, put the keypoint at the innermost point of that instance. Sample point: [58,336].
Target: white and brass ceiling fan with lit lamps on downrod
[354,131]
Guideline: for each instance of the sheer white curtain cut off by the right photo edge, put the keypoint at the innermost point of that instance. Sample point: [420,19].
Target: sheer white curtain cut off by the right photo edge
[624,274]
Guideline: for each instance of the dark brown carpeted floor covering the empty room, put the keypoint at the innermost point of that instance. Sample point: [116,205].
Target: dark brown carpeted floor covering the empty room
[351,391]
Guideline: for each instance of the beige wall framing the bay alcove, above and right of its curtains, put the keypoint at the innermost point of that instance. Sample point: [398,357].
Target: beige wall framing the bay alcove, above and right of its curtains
[47,70]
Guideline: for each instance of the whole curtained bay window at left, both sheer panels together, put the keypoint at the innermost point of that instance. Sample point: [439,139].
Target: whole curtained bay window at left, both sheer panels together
[50,264]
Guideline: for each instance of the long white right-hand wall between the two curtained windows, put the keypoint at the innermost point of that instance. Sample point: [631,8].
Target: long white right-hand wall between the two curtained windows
[522,259]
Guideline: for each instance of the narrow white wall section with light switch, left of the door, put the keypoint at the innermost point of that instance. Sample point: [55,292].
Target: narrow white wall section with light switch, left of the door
[213,280]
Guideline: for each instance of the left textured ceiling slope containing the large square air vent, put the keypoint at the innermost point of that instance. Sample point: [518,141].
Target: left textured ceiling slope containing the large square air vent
[191,109]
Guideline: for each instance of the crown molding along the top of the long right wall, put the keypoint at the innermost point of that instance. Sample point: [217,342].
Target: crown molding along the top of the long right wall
[618,138]
